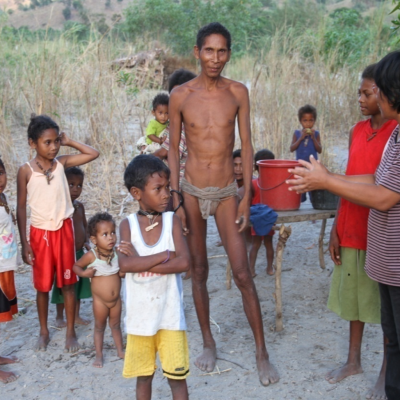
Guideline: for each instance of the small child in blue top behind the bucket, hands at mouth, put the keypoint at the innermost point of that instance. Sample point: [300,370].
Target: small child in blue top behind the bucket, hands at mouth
[307,141]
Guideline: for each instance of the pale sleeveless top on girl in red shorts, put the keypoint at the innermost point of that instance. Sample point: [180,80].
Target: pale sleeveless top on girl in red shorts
[50,203]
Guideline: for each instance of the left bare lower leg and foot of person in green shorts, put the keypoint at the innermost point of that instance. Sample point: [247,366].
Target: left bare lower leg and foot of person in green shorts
[353,363]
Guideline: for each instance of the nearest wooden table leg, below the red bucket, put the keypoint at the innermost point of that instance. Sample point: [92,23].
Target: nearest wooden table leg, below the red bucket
[284,234]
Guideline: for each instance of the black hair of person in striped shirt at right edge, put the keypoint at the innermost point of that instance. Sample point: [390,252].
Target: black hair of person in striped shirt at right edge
[387,78]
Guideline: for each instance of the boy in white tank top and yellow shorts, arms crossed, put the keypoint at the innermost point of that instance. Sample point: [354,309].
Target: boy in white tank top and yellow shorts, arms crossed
[155,320]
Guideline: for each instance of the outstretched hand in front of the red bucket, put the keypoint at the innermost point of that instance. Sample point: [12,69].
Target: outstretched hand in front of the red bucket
[311,176]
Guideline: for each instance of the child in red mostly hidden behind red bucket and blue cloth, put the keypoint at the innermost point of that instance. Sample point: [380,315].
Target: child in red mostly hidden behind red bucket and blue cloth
[263,154]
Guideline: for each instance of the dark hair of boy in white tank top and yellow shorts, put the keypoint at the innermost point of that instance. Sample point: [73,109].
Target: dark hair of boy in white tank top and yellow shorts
[139,170]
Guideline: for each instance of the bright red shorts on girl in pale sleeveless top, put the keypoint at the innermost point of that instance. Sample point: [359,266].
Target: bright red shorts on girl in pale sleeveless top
[54,253]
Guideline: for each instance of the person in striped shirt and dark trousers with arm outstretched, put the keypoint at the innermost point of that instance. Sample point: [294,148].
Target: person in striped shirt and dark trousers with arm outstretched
[381,193]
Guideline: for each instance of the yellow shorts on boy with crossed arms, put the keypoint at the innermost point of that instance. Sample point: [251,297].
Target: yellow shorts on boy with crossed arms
[172,348]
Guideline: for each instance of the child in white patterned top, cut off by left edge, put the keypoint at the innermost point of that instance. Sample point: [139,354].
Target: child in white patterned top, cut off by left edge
[8,264]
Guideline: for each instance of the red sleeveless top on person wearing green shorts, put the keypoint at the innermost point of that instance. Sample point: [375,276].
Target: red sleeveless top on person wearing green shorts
[364,158]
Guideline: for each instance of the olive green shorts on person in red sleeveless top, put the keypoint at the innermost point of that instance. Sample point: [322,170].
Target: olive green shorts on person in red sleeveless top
[354,296]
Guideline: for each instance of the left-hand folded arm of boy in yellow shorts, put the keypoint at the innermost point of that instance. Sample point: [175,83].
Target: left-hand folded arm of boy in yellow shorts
[129,260]
